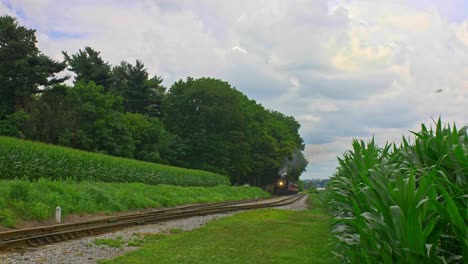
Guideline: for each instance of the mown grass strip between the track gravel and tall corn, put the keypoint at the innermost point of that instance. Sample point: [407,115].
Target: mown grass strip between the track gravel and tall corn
[261,236]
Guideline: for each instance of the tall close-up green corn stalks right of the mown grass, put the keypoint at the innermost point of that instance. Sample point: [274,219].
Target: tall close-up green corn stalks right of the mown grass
[403,204]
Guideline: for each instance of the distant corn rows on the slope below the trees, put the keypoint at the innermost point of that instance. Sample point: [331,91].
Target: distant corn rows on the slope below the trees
[21,159]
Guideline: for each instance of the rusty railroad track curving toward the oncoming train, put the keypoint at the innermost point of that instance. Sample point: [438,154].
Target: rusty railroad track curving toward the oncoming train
[39,236]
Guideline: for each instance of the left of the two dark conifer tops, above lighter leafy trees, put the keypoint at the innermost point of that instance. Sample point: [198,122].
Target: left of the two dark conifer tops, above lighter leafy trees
[88,66]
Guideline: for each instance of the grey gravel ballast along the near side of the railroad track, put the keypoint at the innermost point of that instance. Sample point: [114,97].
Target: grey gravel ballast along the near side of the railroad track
[85,251]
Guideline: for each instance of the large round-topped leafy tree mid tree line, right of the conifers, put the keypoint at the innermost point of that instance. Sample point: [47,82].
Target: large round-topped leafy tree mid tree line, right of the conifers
[207,114]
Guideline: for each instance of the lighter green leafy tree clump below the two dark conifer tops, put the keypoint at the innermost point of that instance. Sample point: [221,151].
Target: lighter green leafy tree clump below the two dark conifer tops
[87,117]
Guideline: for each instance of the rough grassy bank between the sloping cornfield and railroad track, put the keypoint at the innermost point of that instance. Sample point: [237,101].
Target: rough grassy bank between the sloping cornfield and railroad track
[24,200]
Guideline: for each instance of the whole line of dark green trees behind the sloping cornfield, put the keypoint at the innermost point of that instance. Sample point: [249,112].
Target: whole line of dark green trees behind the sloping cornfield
[122,110]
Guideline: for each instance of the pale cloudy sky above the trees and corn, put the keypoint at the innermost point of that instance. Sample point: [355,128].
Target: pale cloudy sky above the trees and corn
[343,68]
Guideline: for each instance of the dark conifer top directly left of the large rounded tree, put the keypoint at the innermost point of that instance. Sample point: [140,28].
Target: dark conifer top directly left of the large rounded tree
[141,94]
